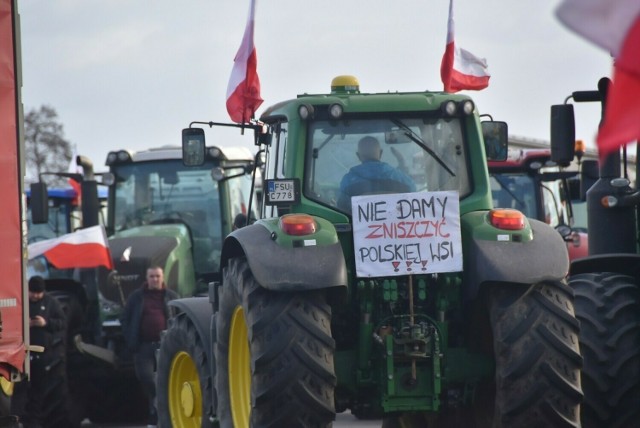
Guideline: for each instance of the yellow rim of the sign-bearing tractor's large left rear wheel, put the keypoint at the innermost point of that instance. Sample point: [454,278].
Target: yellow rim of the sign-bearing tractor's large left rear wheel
[239,370]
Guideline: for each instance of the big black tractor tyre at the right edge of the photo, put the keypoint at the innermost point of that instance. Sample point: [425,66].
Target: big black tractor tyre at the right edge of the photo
[608,308]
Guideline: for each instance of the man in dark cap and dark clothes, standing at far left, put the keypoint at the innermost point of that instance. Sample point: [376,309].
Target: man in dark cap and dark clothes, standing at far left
[47,326]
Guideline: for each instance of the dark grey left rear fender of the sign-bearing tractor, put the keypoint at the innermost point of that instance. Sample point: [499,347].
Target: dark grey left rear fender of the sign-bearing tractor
[281,268]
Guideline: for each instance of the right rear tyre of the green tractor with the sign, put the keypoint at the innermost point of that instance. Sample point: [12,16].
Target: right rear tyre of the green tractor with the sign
[537,357]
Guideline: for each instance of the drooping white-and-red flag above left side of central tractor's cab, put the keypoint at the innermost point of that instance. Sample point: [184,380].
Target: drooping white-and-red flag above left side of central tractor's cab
[243,92]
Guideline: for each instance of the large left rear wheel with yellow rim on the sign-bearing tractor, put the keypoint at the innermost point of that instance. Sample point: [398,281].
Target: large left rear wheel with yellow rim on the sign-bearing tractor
[274,355]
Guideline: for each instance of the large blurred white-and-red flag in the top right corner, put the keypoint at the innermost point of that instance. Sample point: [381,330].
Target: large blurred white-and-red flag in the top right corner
[614,26]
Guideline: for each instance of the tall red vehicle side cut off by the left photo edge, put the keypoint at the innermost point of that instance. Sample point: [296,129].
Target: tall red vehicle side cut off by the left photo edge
[14,338]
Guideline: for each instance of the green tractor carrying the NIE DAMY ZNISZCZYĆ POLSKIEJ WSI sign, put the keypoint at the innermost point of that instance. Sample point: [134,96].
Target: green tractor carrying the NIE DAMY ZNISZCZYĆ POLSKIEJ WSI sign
[413,302]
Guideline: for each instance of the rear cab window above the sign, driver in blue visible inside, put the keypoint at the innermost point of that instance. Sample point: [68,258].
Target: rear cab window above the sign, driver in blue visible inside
[373,156]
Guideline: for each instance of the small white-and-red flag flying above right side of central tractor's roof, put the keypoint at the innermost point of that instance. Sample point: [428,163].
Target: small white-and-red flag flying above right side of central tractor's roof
[460,69]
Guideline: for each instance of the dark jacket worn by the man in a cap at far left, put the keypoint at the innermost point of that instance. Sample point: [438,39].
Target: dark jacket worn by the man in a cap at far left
[49,309]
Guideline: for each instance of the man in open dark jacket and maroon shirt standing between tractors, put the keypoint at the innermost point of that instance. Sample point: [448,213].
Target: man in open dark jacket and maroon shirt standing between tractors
[145,317]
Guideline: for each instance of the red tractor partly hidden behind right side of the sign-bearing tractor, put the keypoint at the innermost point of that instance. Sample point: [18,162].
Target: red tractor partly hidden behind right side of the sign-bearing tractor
[530,182]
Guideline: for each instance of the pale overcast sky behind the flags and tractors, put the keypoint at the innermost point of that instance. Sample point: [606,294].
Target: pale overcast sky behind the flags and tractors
[132,73]
